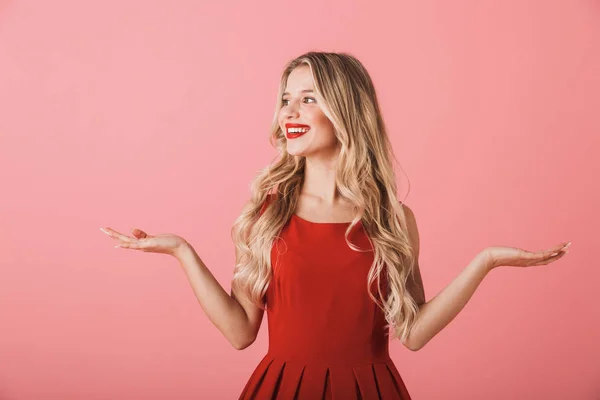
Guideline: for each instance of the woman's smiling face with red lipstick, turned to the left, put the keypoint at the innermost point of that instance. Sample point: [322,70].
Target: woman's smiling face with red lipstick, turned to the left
[301,109]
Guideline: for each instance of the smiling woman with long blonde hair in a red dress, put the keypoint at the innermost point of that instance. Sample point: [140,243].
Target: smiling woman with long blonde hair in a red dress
[328,250]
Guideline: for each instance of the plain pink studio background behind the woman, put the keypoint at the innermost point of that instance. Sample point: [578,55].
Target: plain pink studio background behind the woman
[155,114]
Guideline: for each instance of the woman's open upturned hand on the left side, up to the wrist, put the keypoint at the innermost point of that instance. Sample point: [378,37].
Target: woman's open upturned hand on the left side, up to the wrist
[164,243]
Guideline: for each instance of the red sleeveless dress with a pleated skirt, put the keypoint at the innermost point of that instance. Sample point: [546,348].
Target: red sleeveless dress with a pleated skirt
[326,336]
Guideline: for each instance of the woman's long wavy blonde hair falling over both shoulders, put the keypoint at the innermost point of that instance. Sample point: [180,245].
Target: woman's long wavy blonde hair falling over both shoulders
[365,177]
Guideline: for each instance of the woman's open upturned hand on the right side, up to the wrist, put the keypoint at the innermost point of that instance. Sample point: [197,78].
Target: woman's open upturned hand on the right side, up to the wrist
[515,257]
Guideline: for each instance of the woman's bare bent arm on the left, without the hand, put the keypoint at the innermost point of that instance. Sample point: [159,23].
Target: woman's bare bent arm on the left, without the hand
[238,319]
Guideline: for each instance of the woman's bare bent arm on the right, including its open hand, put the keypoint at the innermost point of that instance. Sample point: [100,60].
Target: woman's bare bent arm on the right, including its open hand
[438,312]
